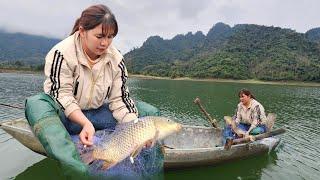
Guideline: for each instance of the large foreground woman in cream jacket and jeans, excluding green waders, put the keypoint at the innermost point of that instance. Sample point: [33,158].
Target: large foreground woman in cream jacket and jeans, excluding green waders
[85,70]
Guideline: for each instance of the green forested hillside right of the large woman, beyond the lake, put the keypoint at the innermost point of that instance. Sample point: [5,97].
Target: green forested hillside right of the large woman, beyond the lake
[244,51]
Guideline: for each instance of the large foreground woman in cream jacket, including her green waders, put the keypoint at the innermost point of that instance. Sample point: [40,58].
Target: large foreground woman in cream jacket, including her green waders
[85,88]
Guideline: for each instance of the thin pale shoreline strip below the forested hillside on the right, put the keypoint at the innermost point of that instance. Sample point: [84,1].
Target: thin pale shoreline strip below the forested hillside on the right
[247,81]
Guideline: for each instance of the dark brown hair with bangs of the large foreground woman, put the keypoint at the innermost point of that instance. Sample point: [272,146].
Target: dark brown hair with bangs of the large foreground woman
[95,15]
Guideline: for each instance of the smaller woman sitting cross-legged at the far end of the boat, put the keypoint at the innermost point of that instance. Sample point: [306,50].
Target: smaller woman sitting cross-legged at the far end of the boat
[249,118]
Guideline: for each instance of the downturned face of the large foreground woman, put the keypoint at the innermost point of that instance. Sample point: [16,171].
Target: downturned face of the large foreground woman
[94,42]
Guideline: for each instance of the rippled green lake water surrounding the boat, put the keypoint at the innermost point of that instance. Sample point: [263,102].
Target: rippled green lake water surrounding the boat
[297,109]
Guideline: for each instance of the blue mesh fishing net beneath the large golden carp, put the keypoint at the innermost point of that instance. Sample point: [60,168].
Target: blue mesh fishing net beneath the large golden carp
[147,165]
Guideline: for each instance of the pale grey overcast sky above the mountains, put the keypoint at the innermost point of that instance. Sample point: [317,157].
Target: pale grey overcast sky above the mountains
[139,19]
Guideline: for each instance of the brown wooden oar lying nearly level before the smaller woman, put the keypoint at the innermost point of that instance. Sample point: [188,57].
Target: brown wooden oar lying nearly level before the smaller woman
[255,137]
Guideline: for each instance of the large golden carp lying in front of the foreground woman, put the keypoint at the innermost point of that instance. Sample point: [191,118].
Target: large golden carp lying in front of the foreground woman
[128,139]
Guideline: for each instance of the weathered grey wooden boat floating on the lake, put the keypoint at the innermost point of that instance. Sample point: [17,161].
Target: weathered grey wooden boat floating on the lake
[192,146]
